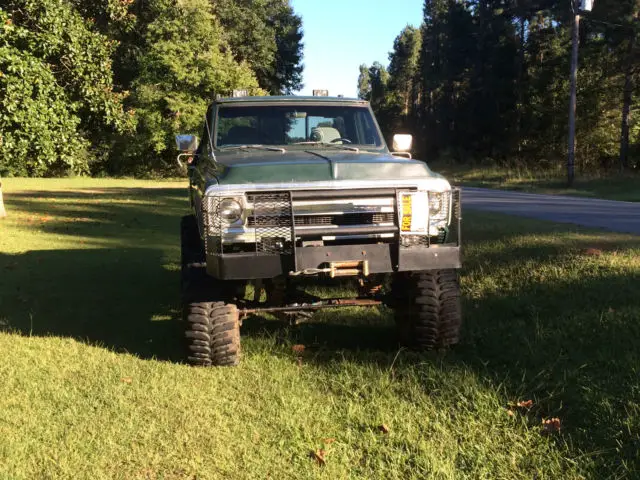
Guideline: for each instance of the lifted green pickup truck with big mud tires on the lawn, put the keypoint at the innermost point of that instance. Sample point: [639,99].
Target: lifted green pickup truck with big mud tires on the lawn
[284,188]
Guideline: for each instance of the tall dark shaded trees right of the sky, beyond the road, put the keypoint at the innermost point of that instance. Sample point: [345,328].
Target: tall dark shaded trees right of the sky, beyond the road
[489,79]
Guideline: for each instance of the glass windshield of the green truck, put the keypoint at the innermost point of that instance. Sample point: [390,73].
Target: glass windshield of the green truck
[304,125]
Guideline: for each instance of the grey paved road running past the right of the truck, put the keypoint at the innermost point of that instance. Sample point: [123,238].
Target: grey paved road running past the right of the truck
[590,212]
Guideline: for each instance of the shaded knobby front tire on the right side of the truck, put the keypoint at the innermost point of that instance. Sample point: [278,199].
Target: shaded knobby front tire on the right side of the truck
[427,308]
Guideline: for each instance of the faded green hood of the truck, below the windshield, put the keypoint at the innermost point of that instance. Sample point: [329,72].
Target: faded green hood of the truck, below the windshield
[316,166]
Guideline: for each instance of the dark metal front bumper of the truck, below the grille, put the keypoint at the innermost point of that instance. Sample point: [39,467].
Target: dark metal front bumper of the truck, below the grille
[382,258]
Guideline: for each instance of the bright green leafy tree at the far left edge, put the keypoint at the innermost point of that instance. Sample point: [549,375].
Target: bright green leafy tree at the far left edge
[55,82]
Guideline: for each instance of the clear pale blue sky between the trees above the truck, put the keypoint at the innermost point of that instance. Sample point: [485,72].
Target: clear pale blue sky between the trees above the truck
[339,35]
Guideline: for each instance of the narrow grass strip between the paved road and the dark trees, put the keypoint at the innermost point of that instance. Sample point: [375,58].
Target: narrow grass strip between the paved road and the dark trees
[613,187]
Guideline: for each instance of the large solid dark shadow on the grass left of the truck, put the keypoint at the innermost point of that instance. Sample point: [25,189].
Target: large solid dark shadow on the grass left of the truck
[122,299]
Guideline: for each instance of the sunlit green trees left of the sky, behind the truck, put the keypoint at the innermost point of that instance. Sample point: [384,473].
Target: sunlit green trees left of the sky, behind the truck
[101,87]
